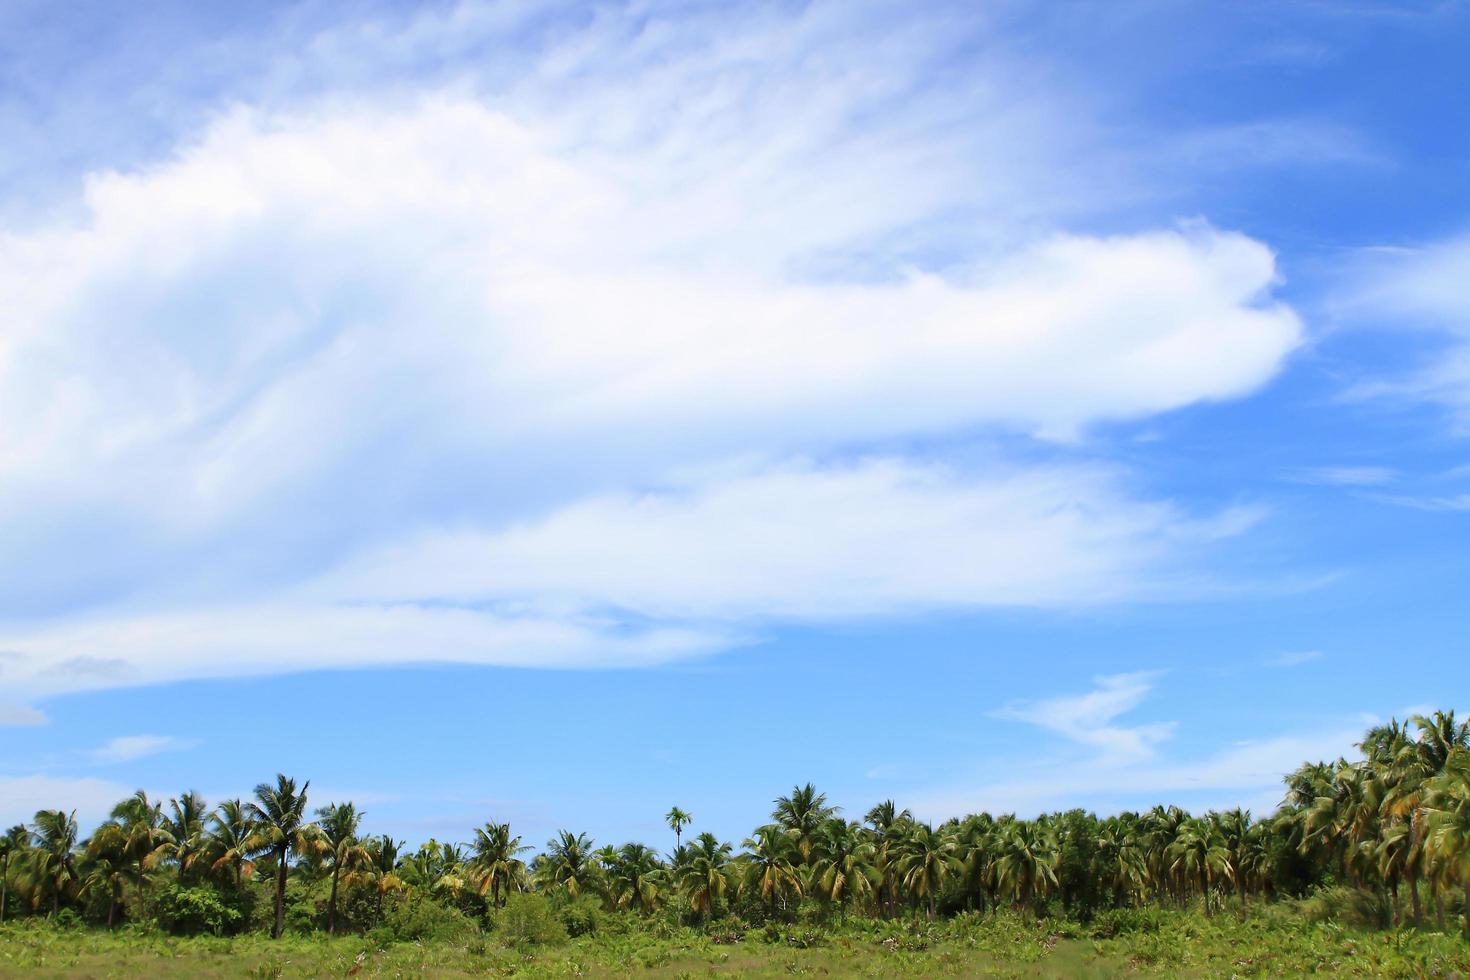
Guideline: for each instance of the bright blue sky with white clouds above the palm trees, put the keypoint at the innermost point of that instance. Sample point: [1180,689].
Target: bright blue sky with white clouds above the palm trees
[559,412]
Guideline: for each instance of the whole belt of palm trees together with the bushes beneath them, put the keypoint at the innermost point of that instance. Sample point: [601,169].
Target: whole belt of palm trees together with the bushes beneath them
[1383,843]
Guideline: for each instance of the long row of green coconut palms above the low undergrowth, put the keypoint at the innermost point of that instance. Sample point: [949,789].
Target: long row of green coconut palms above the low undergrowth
[1396,822]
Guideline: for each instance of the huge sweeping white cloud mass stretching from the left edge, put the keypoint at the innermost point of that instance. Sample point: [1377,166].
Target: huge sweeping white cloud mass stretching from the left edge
[600,368]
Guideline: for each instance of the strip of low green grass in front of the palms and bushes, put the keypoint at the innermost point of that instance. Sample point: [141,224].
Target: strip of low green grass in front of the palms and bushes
[1269,944]
